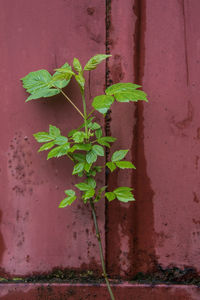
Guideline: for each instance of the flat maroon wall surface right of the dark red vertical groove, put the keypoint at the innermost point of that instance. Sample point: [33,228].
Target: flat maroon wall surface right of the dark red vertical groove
[171,126]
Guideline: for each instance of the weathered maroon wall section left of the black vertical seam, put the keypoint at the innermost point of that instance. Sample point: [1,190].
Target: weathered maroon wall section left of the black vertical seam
[36,235]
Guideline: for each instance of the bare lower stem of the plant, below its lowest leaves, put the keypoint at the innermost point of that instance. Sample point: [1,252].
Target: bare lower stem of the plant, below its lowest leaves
[101,249]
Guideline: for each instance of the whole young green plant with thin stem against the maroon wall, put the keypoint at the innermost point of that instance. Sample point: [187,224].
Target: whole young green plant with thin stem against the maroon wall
[85,144]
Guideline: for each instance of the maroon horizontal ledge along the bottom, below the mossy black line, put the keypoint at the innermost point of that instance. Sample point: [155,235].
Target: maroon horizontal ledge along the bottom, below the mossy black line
[122,291]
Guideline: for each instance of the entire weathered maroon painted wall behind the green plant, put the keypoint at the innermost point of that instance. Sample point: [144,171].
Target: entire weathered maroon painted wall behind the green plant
[154,43]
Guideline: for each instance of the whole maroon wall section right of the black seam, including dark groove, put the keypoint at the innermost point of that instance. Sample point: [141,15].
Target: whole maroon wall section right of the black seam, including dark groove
[162,227]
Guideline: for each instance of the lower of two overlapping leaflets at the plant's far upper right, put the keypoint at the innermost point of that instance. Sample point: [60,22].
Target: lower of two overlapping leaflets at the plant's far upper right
[131,96]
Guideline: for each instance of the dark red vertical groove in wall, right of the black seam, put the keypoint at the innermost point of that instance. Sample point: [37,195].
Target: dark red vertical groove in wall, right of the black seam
[144,252]
